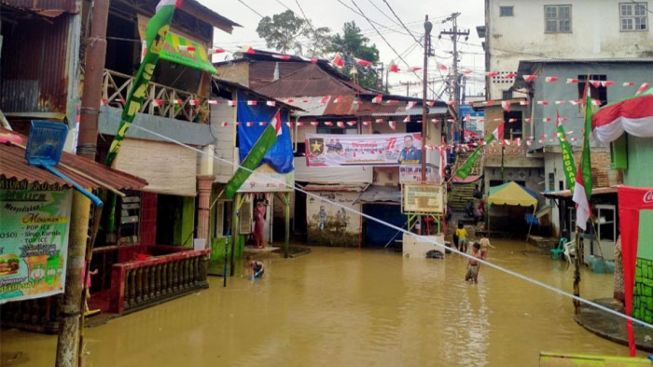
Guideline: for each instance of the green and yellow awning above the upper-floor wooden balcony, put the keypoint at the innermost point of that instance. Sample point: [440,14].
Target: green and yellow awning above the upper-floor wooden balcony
[195,56]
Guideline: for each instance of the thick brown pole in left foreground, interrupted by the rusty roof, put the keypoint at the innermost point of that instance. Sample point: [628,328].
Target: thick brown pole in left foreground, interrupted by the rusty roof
[69,341]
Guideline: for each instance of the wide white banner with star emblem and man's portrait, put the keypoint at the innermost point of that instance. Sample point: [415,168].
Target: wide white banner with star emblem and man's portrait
[336,150]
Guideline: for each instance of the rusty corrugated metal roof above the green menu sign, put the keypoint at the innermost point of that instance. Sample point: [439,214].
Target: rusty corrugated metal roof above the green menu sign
[14,166]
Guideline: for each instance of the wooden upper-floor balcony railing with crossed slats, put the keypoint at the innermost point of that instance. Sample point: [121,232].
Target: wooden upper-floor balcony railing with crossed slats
[160,100]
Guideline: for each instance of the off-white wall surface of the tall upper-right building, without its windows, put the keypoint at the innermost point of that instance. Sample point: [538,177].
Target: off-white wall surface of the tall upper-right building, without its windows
[595,33]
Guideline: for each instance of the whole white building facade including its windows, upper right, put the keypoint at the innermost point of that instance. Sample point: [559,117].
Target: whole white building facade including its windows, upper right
[518,30]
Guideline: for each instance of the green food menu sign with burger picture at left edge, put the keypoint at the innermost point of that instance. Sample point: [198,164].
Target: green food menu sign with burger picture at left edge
[34,221]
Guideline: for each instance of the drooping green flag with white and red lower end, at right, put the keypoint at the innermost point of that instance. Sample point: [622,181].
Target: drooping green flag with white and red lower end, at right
[583,187]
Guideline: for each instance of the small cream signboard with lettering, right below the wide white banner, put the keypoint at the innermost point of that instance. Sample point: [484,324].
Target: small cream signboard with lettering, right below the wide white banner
[422,199]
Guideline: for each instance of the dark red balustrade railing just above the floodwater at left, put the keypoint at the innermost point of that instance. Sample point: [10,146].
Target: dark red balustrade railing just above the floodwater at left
[139,284]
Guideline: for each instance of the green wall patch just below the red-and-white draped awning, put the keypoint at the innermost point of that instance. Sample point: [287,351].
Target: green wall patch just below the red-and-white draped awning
[640,156]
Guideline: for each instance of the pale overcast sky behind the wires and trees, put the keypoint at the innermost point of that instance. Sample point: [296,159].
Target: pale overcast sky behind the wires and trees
[332,14]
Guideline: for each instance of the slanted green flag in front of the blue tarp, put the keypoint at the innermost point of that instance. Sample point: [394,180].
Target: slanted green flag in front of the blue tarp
[255,156]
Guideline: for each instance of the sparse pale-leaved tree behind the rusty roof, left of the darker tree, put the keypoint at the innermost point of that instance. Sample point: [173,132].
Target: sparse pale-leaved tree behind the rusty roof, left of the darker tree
[286,32]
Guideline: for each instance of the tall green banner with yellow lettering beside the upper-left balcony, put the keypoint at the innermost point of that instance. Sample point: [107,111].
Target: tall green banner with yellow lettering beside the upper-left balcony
[155,36]
